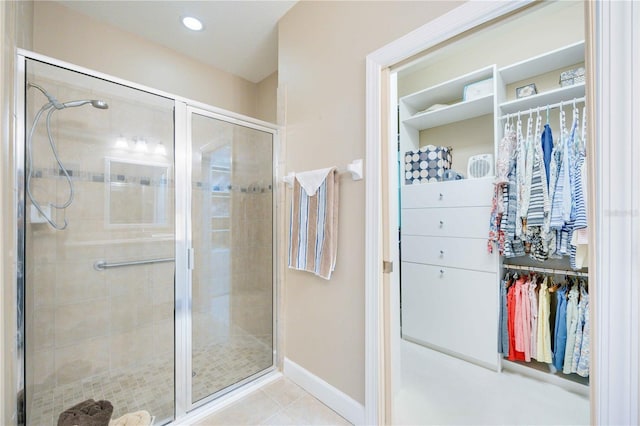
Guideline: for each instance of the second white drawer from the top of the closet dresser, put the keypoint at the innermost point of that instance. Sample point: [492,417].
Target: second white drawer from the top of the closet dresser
[472,222]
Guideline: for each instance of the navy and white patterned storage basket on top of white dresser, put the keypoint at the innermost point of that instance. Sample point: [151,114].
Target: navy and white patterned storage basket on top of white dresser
[426,164]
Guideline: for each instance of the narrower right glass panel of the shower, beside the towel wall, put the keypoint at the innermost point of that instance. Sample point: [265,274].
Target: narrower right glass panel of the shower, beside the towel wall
[232,234]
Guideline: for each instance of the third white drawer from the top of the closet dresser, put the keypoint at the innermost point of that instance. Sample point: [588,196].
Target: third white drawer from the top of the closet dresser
[467,253]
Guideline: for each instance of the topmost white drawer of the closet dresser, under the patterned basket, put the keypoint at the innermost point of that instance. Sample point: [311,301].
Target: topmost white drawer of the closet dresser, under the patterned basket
[459,193]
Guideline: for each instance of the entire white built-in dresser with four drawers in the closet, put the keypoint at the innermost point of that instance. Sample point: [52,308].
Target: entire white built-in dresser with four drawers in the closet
[450,286]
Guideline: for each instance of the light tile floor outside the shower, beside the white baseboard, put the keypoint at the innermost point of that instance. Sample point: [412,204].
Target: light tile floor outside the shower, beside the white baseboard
[279,403]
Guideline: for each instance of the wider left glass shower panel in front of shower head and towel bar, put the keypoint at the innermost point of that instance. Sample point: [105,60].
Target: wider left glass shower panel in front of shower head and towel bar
[100,194]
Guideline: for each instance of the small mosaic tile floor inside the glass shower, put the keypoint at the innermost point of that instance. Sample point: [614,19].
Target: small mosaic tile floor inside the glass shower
[150,387]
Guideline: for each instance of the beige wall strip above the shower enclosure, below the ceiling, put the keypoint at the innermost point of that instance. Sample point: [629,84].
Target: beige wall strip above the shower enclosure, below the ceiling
[67,35]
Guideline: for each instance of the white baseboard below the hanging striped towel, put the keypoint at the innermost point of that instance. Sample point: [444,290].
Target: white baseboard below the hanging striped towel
[335,399]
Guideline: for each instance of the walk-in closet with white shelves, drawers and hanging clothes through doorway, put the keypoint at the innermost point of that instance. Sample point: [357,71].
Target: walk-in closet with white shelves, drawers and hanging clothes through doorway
[493,246]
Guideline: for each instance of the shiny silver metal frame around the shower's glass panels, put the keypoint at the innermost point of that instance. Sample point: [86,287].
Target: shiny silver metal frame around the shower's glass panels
[183,110]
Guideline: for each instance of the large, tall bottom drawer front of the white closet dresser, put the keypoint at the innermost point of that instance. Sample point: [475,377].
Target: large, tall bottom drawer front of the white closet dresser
[451,309]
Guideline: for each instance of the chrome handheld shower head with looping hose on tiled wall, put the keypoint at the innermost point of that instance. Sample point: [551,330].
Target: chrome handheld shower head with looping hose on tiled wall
[50,107]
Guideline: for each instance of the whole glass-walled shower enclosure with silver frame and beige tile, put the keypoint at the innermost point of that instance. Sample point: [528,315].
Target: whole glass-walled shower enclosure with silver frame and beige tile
[147,246]
